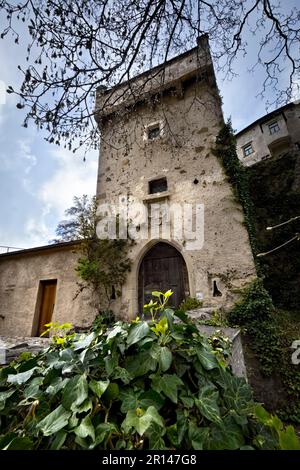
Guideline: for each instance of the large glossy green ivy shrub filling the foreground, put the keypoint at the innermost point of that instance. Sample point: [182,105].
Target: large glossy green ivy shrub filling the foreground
[138,385]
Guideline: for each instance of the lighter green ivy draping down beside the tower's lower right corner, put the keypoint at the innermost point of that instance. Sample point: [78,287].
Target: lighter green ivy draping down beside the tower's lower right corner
[270,334]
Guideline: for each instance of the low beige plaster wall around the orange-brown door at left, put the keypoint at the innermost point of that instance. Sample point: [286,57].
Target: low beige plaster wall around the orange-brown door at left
[19,285]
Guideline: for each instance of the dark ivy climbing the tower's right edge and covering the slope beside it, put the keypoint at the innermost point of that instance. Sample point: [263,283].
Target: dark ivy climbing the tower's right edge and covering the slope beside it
[267,329]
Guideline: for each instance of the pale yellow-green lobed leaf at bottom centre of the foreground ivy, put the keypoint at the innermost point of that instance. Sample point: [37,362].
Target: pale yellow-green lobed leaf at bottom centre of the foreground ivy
[141,422]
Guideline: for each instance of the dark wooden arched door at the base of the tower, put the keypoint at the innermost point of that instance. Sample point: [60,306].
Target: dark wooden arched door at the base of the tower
[163,268]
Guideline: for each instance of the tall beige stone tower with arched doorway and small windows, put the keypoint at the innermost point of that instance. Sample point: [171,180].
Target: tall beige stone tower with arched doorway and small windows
[157,135]
